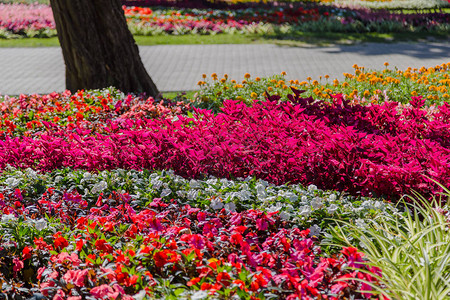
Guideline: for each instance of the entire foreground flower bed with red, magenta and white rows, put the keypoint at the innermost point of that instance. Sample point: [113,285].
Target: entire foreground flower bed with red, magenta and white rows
[85,213]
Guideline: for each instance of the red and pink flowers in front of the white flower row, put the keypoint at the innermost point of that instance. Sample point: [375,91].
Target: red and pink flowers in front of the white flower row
[115,248]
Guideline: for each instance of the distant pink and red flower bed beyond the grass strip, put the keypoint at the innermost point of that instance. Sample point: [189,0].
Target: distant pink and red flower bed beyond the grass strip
[21,20]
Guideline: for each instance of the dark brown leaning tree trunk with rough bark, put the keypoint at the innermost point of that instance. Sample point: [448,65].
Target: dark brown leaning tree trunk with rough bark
[99,50]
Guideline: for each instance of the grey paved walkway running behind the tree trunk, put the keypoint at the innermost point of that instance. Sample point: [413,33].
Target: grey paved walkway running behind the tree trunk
[179,67]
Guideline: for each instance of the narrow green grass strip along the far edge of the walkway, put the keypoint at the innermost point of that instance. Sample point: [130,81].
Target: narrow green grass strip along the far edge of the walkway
[299,39]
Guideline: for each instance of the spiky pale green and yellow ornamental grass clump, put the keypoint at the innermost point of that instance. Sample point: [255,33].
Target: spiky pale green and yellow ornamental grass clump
[412,249]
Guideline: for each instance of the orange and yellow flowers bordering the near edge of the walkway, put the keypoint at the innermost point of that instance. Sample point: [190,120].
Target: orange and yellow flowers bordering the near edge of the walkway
[363,87]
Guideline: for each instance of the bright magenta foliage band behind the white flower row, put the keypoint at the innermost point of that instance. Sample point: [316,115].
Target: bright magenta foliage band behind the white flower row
[367,150]
